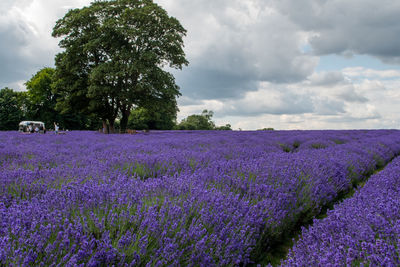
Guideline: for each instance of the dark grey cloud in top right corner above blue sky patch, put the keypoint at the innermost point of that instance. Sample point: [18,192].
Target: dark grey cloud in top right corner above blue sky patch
[349,27]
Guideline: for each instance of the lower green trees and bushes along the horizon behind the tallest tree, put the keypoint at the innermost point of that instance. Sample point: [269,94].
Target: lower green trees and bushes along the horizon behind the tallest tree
[38,103]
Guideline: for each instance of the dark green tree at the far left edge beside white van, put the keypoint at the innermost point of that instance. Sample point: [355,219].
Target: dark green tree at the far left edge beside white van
[10,109]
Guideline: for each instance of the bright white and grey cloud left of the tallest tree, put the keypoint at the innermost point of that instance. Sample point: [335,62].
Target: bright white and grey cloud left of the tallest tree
[26,44]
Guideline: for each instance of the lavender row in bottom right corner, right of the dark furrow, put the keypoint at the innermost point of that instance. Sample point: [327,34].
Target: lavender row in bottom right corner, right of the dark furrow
[362,230]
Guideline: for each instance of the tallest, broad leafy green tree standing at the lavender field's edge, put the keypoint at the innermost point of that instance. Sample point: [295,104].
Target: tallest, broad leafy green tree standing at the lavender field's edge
[114,58]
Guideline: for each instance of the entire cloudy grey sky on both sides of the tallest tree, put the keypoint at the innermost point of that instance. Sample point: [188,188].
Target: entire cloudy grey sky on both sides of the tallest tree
[286,64]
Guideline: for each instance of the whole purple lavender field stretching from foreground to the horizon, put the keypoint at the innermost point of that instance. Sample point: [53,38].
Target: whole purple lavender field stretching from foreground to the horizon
[203,198]
